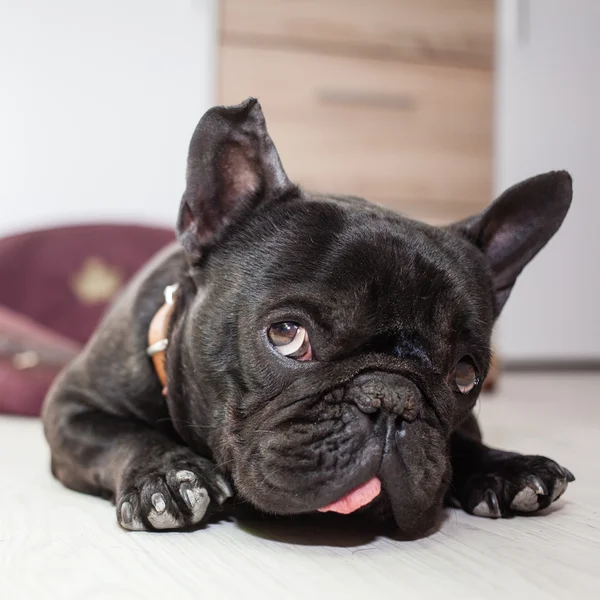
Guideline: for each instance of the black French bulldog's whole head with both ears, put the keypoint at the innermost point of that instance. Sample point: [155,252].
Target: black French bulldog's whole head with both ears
[327,342]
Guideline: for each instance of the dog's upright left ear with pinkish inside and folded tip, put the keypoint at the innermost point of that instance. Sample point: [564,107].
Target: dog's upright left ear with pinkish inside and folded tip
[232,167]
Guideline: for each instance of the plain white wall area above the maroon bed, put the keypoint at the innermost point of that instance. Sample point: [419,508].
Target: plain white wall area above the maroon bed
[98,101]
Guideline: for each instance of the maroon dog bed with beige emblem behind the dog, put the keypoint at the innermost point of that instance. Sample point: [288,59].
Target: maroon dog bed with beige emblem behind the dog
[56,285]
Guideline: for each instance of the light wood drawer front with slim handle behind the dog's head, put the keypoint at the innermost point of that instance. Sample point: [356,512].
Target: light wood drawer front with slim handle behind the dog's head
[413,137]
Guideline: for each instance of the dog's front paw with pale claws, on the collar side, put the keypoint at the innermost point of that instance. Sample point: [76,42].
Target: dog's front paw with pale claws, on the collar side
[169,493]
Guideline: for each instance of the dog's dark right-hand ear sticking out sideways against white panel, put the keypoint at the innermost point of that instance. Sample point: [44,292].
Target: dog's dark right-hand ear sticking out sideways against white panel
[517,226]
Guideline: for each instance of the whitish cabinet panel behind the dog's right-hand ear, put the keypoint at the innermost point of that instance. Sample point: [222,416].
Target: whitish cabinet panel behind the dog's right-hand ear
[548,117]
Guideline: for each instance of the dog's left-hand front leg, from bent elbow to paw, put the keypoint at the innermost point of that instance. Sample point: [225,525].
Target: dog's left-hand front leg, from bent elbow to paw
[155,482]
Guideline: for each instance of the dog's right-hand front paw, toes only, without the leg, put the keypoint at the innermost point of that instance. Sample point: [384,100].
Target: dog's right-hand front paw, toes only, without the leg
[515,484]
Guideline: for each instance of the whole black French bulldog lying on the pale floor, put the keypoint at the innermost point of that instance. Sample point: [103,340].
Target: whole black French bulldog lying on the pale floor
[324,354]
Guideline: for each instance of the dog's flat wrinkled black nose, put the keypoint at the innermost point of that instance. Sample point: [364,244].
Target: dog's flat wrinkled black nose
[388,392]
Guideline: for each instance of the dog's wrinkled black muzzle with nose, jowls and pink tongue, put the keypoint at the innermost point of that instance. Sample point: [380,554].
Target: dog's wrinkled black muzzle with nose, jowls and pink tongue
[356,450]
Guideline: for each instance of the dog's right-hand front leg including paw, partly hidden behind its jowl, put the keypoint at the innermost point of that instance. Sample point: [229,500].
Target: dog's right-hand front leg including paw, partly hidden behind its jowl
[494,483]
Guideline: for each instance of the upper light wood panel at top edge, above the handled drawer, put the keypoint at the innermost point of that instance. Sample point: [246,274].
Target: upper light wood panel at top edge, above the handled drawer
[458,32]
